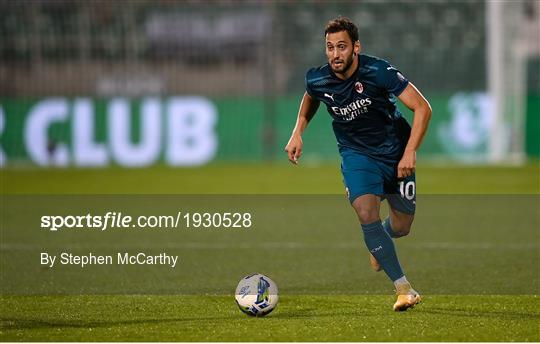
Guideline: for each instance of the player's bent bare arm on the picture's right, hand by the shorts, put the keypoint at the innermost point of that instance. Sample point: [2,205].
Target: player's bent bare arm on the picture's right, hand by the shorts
[414,100]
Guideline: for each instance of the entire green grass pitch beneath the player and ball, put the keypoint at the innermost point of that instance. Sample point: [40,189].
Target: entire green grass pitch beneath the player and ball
[473,254]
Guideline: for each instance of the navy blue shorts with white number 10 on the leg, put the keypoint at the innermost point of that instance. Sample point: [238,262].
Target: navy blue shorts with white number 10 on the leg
[364,175]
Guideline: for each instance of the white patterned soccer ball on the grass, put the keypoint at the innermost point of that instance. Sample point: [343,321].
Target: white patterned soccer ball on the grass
[256,295]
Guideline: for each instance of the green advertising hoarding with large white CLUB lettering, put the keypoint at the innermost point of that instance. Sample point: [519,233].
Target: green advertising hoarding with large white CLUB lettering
[184,131]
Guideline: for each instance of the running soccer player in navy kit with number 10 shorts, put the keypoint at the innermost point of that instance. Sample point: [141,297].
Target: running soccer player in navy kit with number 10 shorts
[376,144]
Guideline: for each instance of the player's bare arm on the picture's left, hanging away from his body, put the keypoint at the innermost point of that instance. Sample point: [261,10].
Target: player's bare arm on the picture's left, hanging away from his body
[308,108]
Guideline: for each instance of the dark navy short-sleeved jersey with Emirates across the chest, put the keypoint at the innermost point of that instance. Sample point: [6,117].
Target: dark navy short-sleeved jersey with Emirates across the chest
[363,107]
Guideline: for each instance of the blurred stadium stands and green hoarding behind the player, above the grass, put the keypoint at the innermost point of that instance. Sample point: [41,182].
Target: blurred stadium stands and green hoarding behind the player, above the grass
[221,80]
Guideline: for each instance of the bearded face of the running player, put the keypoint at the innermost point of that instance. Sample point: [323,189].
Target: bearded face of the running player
[339,51]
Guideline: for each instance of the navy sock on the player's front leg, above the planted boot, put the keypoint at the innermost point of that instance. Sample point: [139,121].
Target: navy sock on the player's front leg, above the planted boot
[382,248]
